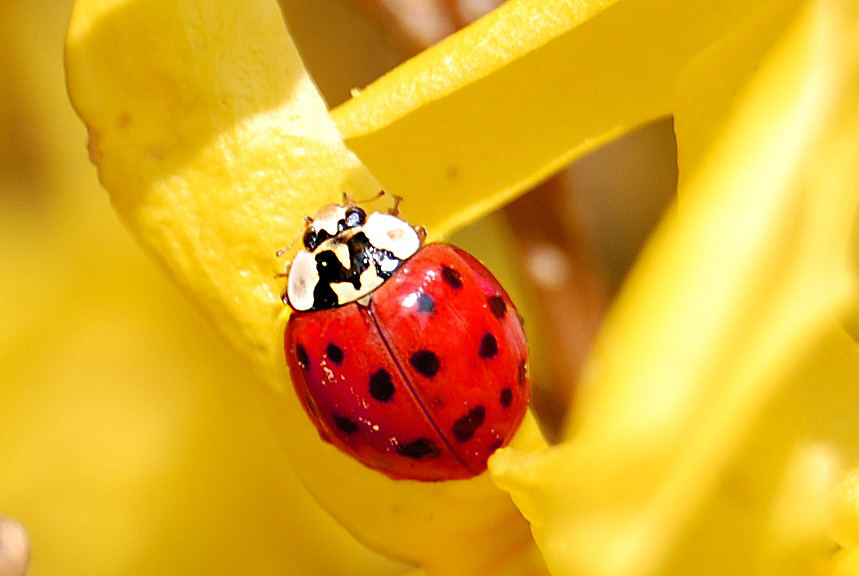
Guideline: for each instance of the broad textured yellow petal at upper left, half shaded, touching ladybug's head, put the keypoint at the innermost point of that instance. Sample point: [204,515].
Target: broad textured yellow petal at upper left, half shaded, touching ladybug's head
[213,143]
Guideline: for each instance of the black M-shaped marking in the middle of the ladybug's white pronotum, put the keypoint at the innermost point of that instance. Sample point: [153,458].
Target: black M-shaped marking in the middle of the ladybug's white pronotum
[362,255]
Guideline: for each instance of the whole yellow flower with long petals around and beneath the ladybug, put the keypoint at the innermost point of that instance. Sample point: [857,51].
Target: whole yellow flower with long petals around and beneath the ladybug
[716,408]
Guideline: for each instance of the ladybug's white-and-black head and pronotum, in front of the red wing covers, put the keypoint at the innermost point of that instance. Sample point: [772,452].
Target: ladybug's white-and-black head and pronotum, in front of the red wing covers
[347,254]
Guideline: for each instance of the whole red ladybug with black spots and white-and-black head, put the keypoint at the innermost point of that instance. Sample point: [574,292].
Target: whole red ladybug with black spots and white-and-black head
[410,358]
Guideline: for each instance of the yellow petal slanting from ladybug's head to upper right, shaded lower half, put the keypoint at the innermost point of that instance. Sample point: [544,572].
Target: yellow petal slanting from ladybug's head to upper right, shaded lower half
[492,110]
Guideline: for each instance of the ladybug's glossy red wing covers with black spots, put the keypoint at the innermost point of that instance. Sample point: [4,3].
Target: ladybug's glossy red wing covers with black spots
[427,380]
